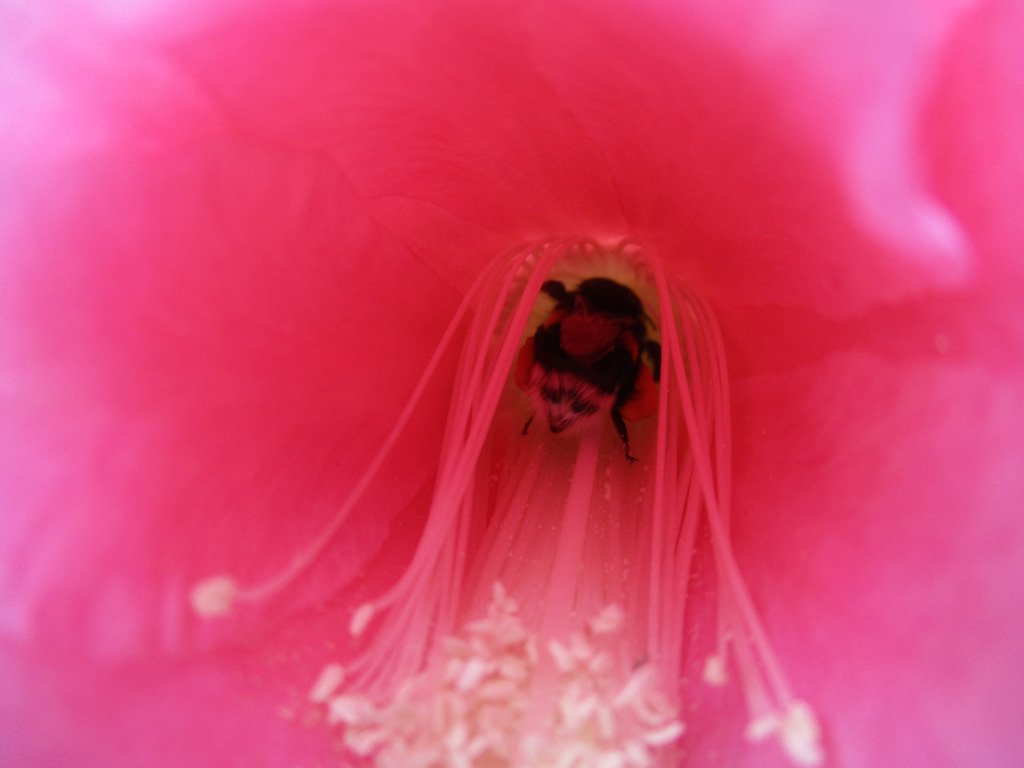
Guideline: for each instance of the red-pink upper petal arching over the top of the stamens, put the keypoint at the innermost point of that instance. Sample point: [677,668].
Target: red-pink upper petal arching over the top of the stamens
[465,129]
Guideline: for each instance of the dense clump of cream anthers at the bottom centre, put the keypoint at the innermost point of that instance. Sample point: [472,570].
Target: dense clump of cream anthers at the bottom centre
[482,703]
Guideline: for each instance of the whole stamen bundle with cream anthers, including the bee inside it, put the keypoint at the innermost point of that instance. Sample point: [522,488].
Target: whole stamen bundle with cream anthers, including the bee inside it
[541,620]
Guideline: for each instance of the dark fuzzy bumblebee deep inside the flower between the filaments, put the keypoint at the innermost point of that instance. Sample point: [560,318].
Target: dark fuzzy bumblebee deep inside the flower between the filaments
[588,358]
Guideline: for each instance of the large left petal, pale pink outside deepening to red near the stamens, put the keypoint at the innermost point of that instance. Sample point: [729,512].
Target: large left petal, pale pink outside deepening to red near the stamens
[201,347]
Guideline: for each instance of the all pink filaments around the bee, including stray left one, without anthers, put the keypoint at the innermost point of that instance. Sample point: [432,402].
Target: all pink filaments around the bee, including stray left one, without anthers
[530,513]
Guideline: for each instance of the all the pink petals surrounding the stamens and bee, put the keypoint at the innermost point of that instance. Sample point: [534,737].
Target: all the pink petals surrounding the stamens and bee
[232,238]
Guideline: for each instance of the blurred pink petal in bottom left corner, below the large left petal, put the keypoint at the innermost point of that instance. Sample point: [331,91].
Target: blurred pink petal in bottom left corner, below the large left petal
[162,714]
